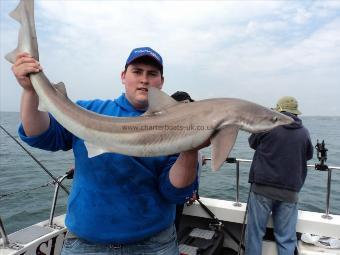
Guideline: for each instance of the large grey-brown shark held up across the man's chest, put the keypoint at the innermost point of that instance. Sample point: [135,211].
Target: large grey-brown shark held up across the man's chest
[168,127]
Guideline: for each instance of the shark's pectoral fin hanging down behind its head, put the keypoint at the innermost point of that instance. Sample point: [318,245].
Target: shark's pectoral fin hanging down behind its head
[222,143]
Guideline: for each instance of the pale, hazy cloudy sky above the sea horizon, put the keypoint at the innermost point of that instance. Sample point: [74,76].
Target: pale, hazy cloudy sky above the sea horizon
[254,50]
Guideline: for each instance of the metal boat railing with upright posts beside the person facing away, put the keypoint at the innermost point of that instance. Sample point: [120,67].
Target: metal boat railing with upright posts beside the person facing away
[316,166]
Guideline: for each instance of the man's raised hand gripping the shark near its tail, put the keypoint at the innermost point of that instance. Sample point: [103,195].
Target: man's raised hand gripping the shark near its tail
[24,65]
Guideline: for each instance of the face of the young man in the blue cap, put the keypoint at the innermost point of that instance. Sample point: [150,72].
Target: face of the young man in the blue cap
[137,79]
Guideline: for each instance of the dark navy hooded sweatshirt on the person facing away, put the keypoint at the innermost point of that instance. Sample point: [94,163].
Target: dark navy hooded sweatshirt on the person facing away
[281,155]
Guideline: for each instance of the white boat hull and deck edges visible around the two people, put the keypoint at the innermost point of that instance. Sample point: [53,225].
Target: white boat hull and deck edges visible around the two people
[47,240]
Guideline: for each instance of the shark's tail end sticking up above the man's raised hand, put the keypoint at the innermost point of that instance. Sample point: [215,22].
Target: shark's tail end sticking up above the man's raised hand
[24,14]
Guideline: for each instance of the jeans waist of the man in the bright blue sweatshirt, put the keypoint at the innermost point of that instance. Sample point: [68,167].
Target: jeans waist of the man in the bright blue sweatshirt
[163,243]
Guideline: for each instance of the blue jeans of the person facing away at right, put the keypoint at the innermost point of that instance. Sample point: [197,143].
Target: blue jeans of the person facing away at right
[284,219]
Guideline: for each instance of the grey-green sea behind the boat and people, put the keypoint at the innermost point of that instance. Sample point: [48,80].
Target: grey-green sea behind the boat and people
[26,193]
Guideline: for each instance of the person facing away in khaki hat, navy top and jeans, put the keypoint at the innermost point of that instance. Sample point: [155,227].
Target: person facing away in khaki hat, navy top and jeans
[277,174]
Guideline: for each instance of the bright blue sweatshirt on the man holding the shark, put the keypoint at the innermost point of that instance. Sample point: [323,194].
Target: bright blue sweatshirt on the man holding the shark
[114,198]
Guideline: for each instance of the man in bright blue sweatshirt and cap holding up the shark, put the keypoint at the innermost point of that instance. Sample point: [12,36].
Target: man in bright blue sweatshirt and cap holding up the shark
[118,204]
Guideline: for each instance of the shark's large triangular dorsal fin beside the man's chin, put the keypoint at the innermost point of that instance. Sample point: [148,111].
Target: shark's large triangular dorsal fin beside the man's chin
[158,101]
